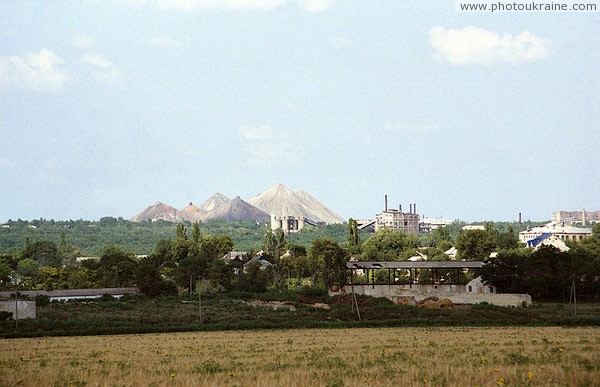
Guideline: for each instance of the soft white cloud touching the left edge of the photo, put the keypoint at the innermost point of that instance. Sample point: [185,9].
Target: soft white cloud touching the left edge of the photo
[41,71]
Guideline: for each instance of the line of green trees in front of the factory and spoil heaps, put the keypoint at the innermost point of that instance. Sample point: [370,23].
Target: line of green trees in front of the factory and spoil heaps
[194,258]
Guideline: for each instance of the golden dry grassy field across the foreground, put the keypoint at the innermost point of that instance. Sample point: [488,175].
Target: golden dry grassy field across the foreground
[546,356]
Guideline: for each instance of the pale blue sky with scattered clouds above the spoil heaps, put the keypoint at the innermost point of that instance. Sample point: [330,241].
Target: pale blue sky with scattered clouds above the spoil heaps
[108,106]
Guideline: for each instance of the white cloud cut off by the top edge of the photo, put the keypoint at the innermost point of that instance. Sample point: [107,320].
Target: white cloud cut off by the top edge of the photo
[194,5]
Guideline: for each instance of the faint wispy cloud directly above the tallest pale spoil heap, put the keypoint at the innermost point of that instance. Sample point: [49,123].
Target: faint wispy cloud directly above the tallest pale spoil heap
[265,147]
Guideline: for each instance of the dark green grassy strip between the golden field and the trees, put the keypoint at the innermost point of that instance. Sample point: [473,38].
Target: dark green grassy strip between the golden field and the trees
[132,315]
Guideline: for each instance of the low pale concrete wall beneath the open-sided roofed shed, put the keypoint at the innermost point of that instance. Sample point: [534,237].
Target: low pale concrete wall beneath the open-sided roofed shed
[403,294]
